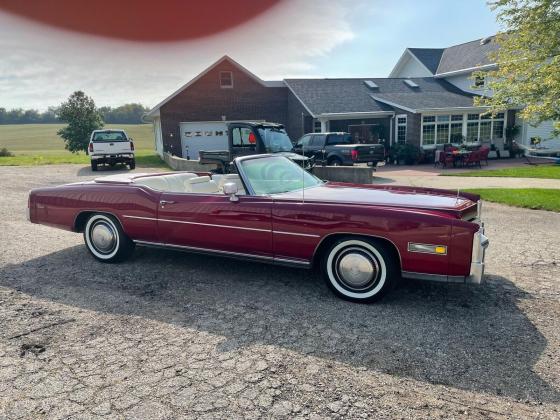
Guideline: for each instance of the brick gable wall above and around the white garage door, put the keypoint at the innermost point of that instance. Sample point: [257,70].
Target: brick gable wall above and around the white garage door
[204,100]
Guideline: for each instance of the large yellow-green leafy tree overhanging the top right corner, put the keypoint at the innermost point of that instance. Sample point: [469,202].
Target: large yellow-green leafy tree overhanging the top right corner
[528,72]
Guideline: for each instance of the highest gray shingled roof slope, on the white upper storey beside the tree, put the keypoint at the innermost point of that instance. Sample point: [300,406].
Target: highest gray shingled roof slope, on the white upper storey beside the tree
[465,56]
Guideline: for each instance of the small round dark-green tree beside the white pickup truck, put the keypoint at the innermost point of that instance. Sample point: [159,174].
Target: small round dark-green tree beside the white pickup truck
[82,117]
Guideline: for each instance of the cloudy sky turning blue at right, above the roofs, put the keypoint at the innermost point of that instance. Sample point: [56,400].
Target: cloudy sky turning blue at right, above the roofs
[41,66]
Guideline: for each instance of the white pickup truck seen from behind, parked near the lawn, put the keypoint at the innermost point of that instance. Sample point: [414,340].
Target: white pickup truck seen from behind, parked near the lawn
[111,147]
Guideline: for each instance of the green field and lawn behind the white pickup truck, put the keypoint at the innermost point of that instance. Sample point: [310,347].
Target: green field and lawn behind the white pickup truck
[38,144]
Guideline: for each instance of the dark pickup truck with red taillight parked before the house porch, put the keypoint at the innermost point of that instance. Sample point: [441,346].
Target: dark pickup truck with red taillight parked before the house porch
[335,149]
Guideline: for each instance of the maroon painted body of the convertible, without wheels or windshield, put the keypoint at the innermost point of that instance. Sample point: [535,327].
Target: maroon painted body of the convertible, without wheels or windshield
[285,228]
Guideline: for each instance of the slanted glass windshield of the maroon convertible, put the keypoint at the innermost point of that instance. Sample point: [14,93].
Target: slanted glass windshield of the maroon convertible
[276,174]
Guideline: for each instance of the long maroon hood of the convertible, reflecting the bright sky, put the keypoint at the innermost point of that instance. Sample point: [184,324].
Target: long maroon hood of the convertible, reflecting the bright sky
[388,196]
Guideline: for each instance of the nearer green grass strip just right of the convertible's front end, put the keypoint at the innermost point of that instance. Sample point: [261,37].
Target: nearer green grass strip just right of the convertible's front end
[531,198]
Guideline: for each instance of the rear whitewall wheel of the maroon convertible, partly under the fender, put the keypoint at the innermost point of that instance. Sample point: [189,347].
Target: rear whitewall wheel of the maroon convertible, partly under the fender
[106,240]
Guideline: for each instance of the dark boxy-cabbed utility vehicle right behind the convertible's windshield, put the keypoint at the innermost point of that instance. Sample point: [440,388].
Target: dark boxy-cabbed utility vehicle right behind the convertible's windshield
[251,138]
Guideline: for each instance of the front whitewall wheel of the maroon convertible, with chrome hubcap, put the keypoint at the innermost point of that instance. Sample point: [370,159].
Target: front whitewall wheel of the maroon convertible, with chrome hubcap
[360,270]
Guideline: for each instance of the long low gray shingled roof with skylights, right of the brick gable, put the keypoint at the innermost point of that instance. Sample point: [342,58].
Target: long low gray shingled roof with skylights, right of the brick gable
[326,96]
